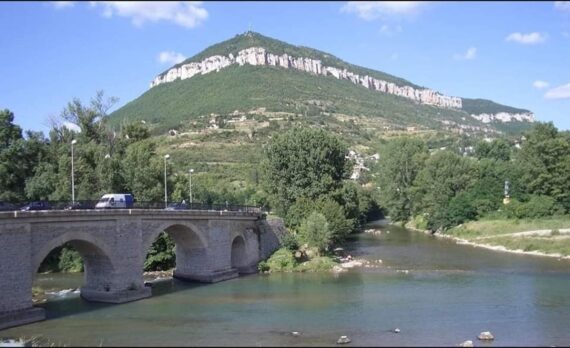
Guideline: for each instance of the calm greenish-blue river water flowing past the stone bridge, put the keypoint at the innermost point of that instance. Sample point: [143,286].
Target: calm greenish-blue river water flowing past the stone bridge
[436,292]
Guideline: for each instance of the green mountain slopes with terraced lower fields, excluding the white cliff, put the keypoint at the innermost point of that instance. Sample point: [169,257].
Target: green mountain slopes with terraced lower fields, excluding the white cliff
[222,119]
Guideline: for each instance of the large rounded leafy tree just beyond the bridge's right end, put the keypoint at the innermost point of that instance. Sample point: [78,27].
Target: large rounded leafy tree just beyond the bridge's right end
[303,162]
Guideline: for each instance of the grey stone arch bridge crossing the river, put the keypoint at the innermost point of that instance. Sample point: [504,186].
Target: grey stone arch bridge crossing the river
[211,246]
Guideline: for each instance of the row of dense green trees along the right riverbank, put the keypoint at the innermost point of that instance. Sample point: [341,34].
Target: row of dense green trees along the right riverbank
[444,188]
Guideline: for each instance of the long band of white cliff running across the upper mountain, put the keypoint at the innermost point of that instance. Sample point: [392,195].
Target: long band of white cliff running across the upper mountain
[259,56]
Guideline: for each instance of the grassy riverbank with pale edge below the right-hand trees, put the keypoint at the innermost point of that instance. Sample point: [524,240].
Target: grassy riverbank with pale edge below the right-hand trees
[548,237]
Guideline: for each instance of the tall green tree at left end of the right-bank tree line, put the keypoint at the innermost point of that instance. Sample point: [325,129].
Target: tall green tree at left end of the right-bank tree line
[399,164]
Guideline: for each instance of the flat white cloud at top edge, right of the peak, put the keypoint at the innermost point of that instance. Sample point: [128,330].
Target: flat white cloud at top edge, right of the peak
[369,10]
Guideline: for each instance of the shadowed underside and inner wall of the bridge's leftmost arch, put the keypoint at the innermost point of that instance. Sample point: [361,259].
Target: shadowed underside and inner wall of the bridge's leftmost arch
[97,260]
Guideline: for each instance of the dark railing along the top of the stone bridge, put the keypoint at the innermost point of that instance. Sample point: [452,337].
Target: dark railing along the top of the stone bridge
[90,205]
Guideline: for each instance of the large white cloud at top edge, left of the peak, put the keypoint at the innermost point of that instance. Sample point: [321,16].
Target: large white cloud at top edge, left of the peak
[187,14]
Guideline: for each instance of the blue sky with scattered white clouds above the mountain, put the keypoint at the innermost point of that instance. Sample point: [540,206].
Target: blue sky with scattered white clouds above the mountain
[514,53]
